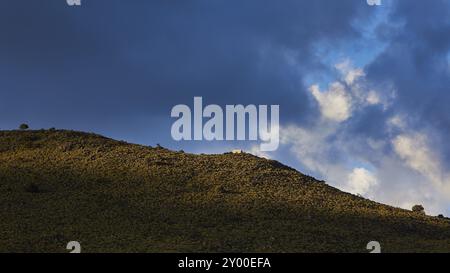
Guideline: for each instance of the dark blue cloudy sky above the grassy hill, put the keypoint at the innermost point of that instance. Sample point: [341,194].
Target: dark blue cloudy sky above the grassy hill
[363,90]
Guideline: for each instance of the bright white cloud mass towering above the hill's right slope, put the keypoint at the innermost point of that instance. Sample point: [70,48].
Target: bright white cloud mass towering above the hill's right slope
[402,169]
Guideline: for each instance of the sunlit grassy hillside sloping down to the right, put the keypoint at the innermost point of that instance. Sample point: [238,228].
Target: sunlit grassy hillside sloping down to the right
[59,186]
